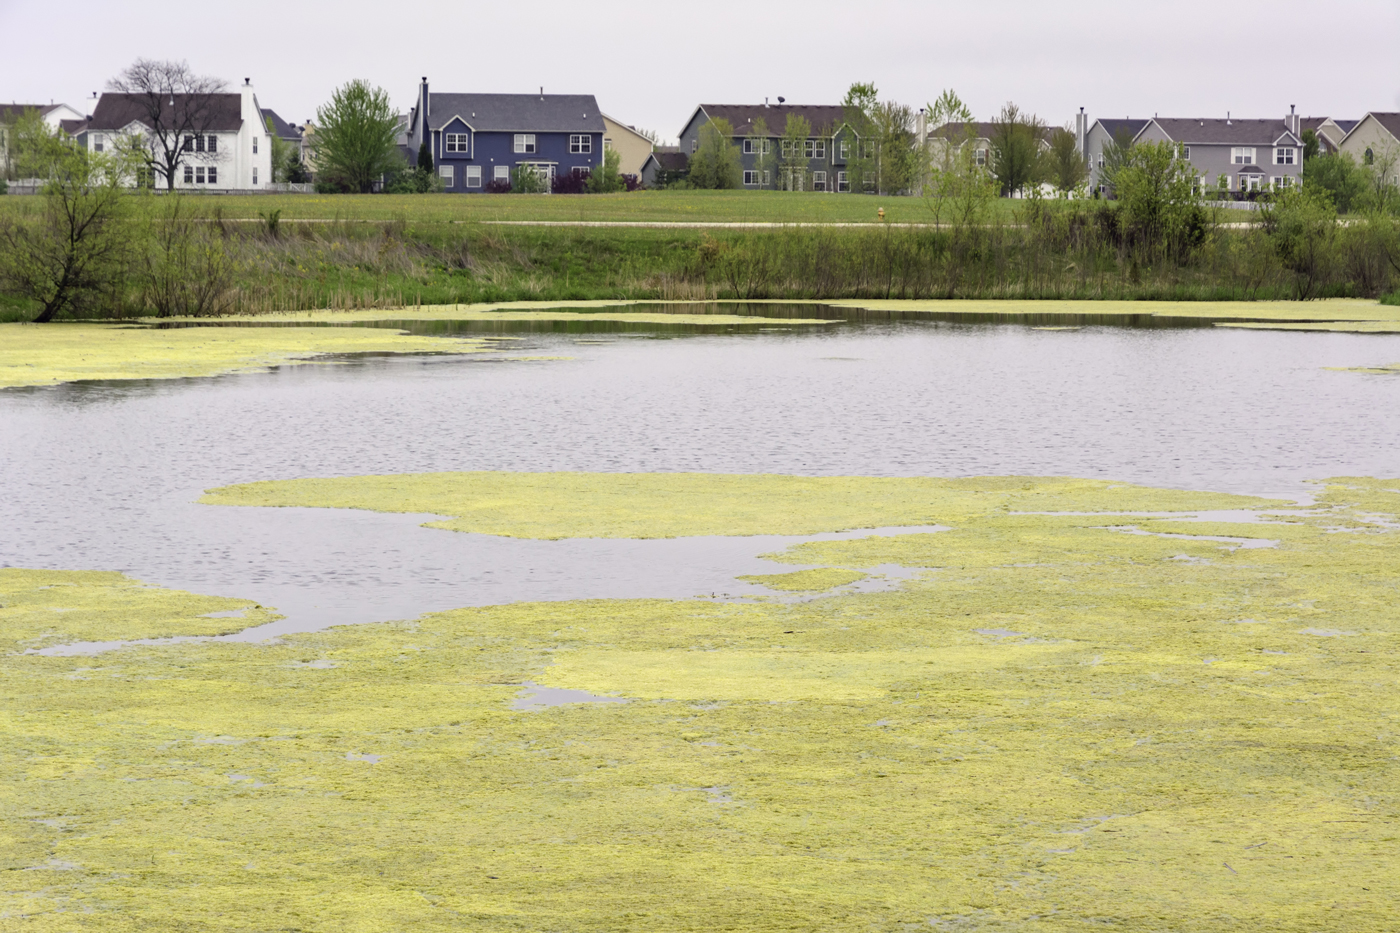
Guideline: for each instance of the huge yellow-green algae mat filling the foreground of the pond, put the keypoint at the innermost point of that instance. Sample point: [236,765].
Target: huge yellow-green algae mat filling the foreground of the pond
[1056,728]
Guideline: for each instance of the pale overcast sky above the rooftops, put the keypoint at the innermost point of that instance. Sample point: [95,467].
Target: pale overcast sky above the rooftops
[650,64]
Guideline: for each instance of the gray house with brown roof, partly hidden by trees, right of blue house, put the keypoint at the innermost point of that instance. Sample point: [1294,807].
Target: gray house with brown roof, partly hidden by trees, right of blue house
[827,151]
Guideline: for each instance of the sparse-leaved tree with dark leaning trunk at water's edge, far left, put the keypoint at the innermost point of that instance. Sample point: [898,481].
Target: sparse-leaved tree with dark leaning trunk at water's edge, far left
[76,251]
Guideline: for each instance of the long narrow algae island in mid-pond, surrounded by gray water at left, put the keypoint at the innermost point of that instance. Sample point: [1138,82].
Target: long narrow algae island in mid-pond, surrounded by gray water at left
[682,505]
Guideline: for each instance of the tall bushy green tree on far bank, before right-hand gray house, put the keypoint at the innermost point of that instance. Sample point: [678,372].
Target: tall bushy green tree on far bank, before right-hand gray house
[1160,201]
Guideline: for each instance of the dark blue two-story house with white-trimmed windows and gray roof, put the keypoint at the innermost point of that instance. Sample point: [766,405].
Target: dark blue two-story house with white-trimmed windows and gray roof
[477,139]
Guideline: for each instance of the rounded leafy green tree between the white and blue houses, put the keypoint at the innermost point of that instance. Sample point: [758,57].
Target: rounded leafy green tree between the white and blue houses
[356,139]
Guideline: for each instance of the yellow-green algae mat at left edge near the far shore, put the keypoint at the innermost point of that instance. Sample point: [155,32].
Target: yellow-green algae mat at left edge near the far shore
[54,354]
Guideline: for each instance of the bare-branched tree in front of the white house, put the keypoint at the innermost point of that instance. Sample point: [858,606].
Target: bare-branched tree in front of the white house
[178,107]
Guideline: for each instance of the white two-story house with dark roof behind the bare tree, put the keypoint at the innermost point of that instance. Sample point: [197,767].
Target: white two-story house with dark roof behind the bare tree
[222,141]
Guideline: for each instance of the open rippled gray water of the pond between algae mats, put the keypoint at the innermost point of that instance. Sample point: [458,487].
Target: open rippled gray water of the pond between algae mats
[106,477]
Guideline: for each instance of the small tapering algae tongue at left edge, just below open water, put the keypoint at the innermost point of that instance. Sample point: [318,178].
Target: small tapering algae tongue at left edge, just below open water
[43,609]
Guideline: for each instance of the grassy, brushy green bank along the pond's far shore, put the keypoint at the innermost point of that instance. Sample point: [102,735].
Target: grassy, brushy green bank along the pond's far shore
[185,256]
